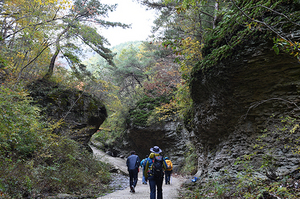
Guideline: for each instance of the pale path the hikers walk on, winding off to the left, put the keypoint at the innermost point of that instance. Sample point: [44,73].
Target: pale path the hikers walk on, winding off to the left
[141,191]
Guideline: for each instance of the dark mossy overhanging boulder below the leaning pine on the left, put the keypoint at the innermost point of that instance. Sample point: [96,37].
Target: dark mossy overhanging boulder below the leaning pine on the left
[82,114]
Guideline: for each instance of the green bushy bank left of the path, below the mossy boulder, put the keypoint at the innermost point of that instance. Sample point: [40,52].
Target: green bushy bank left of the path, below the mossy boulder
[33,161]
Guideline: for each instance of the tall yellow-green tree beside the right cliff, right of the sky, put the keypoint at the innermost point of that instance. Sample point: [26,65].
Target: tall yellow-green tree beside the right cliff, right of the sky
[181,27]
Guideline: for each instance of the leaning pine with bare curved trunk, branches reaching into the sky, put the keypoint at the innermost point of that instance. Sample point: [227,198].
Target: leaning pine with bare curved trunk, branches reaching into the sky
[74,26]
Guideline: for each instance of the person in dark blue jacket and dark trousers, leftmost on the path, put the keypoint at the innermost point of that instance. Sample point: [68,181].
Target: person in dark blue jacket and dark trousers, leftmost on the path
[133,163]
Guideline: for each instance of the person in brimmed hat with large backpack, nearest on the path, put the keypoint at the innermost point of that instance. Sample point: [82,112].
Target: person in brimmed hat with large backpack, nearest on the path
[154,172]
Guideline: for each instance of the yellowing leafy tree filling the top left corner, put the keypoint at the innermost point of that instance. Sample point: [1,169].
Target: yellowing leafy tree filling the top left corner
[25,27]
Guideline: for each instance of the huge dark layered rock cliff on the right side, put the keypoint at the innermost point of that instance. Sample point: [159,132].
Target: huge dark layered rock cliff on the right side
[240,99]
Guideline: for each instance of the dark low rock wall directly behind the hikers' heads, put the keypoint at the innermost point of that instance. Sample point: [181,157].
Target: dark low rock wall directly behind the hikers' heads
[170,136]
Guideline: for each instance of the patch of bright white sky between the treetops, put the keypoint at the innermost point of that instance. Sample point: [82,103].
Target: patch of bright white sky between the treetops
[128,12]
